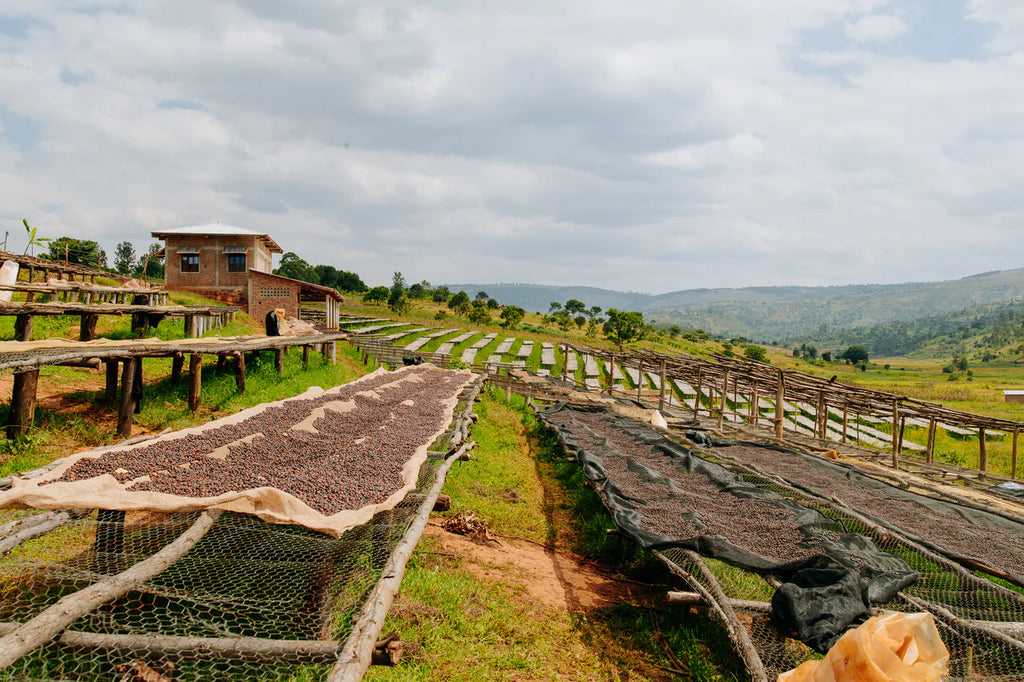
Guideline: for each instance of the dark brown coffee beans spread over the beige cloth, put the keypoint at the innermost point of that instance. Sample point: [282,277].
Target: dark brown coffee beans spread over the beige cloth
[355,459]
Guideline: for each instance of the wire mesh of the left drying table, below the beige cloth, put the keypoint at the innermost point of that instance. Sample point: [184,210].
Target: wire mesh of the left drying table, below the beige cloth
[245,578]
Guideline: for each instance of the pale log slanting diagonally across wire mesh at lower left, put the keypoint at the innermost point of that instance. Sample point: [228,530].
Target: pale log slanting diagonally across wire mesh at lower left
[55,620]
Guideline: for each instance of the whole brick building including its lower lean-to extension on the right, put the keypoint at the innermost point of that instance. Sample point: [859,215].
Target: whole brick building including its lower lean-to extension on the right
[233,265]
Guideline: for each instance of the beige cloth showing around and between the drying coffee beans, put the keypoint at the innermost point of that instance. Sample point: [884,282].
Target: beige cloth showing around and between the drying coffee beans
[276,506]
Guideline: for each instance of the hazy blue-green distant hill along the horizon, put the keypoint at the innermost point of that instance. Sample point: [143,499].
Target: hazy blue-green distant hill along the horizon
[769,314]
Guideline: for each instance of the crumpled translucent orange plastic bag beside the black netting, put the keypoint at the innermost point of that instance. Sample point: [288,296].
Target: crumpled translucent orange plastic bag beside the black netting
[895,648]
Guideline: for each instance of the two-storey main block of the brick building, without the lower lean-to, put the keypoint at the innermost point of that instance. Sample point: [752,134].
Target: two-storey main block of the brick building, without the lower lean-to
[215,260]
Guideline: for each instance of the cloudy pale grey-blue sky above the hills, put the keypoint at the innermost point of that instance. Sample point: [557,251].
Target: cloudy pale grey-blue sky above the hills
[638,146]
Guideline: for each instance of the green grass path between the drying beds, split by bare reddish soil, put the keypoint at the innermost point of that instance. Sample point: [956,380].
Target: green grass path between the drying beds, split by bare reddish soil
[459,626]
